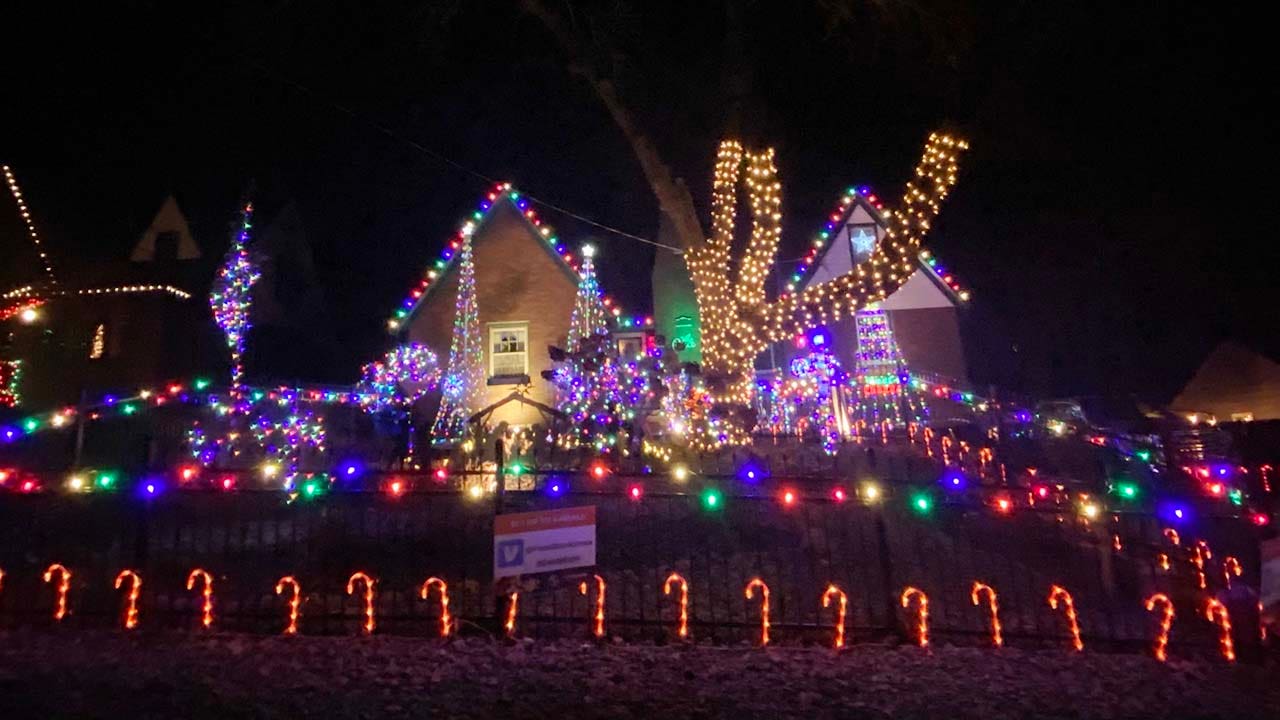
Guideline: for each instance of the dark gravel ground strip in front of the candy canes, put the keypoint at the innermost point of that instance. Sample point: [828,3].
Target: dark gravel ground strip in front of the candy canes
[81,675]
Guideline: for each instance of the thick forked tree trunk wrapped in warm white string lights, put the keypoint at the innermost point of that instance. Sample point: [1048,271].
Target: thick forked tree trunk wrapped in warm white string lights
[739,322]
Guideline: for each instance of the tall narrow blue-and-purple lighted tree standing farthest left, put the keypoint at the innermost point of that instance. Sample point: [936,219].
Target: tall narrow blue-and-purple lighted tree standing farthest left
[232,298]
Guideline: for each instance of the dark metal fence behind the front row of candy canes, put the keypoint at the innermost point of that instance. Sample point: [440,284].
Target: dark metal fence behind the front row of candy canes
[250,540]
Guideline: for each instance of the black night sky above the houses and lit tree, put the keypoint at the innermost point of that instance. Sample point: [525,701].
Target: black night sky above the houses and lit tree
[1116,218]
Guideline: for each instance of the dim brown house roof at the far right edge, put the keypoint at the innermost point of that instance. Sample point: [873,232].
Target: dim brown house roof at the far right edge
[1233,381]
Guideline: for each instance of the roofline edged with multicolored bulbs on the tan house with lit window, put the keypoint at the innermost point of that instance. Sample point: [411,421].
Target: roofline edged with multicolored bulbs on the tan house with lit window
[502,194]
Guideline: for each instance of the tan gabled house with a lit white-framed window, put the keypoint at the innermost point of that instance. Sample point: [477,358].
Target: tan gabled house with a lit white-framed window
[525,290]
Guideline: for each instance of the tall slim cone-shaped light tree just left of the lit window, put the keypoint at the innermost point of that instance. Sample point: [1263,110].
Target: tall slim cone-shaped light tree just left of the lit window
[464,379]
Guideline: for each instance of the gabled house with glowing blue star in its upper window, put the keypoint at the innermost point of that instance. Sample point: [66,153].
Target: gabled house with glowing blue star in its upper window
[924,313]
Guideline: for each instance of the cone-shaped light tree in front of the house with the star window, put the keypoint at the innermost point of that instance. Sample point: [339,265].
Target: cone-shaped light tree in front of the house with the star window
[883,381]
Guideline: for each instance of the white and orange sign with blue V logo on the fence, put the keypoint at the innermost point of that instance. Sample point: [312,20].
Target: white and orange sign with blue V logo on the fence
[542,543]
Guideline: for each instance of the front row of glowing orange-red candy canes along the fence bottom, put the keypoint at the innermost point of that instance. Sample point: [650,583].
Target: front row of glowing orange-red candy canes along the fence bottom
[1059,598]
